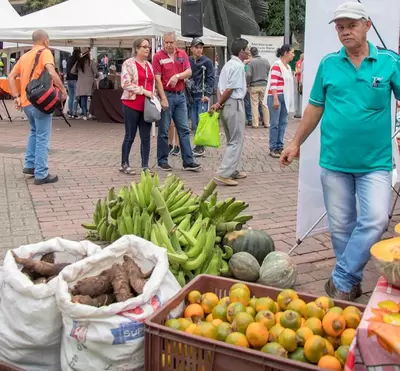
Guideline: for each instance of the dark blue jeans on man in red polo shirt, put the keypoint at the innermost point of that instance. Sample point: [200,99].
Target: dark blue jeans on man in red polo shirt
[176,111]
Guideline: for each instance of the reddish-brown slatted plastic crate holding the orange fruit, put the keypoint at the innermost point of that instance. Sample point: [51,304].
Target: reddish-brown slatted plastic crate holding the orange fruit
[170,350]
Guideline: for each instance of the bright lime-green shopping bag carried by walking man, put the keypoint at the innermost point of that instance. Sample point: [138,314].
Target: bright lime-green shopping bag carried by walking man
[207,133]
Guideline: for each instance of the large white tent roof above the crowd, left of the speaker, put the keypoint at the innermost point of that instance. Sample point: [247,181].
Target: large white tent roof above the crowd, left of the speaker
[101,23]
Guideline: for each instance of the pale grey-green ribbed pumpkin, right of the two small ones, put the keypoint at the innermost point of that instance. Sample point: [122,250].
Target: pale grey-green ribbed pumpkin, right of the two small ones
[278,270]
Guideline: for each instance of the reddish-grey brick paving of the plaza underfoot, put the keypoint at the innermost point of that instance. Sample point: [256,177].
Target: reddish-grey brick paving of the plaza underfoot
[86,159]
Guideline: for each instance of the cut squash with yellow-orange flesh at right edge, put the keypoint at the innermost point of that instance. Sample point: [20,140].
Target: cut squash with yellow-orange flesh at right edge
[386,254]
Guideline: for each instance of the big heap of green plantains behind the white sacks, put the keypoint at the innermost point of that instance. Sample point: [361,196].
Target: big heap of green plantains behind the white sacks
[189,227]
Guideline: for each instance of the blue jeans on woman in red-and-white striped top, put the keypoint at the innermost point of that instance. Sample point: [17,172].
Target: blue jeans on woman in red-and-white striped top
[278,119]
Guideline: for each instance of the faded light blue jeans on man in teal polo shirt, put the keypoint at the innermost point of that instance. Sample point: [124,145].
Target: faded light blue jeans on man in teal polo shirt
[353,235]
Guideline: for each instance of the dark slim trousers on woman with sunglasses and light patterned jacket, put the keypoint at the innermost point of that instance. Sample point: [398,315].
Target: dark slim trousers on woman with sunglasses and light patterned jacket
[134,120]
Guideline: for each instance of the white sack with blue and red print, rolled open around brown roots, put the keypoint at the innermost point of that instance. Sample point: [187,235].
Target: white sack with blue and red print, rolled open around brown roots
[112,337]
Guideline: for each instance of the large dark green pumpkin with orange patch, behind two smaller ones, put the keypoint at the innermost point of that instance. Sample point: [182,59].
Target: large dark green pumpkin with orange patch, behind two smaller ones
[255,242]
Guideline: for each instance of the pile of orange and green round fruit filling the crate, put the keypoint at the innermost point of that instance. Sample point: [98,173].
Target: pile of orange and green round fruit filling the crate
[317,332]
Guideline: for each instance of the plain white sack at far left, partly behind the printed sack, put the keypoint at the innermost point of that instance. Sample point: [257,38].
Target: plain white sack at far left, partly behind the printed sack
[30,320]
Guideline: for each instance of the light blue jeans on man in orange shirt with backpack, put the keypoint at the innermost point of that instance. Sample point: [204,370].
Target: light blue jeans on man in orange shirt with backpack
[37,149]
